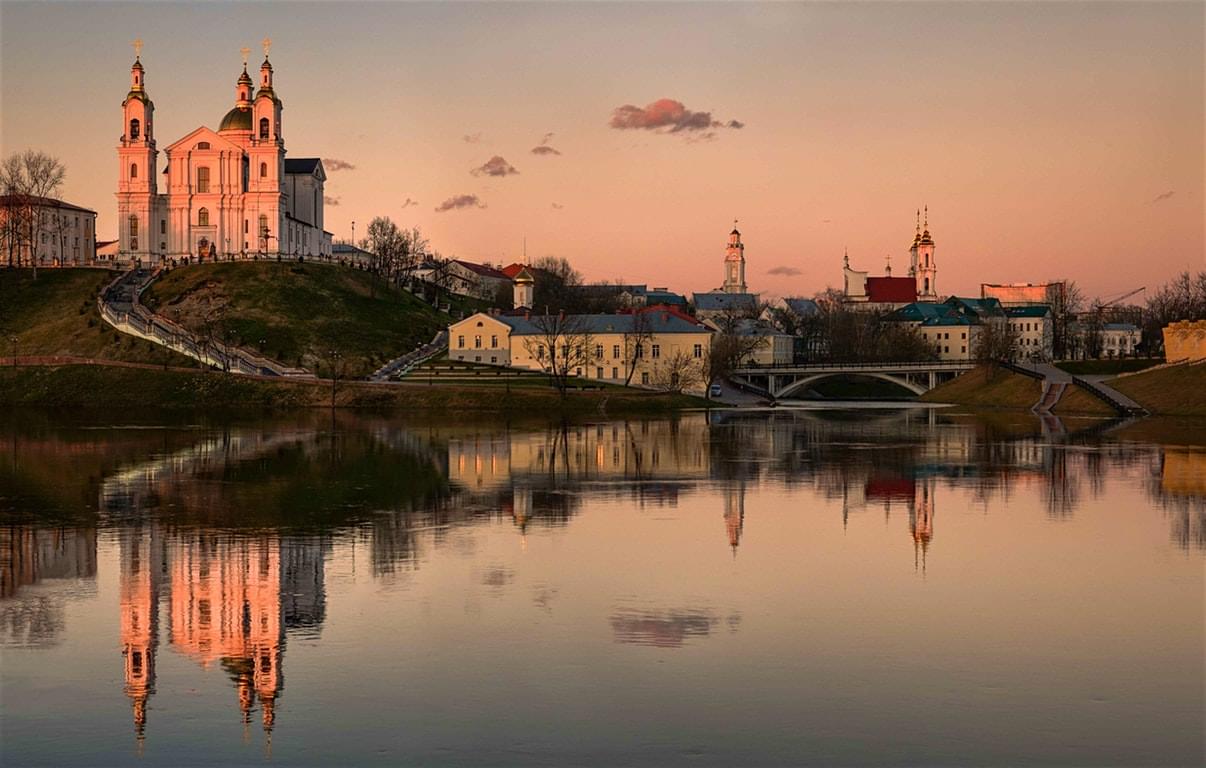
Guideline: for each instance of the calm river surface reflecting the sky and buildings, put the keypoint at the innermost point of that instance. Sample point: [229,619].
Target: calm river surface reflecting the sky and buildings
[893,588]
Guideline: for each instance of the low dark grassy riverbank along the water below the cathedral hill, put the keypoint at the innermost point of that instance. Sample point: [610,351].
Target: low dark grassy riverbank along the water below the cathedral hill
[125,388]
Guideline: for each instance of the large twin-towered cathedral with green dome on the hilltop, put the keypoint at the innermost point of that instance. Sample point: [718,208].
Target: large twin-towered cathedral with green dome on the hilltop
[229,194]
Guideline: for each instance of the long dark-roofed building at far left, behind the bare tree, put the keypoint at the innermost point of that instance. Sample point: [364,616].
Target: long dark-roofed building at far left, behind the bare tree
[46,232]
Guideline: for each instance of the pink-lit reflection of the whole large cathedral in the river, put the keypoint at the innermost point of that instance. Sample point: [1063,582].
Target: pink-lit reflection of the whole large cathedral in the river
[231,600]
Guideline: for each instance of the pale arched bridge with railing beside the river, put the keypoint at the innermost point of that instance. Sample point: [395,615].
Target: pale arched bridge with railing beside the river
[787,380]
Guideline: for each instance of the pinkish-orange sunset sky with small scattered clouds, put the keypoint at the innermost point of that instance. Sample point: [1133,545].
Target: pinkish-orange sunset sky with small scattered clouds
[1050,140]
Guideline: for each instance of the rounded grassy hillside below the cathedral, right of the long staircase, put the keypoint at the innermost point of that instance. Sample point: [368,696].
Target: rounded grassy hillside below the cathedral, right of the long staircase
[302,310]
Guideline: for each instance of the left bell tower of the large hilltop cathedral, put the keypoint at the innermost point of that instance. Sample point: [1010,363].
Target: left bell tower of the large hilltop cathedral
[138,171]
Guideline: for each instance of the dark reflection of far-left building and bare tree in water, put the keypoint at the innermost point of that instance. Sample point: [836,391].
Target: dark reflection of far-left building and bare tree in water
[34,562]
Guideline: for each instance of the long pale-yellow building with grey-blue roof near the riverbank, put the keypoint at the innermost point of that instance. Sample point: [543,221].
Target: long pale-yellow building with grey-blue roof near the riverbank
[655,344]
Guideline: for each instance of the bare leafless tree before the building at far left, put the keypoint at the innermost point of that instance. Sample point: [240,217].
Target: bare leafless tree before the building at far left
[30,181]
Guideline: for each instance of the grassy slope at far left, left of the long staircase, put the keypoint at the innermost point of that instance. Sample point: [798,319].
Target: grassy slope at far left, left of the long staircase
[57,315]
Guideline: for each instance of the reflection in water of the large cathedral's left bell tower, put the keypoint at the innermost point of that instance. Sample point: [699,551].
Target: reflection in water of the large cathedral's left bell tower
[139,593]
